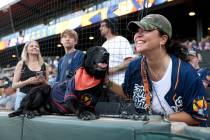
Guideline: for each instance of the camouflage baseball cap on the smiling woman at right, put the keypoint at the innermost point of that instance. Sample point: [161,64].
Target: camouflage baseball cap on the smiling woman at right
[152,22]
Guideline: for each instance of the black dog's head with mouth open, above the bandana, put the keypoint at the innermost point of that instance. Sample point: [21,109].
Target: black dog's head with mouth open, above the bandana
[96,61]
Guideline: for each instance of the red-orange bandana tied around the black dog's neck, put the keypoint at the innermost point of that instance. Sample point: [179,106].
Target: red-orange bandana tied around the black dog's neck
[84,81]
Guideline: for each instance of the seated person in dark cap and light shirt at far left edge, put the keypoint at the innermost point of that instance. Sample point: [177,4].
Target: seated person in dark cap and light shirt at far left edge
[7,100]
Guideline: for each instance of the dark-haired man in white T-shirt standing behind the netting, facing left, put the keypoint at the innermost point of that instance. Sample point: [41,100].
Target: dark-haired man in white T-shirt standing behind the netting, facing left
[119,48]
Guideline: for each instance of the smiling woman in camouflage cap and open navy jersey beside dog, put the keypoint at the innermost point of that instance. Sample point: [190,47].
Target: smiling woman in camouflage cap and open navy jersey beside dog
[160,82]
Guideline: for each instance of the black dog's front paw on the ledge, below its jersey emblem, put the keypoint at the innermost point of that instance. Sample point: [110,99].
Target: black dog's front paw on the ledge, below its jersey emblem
[87,115]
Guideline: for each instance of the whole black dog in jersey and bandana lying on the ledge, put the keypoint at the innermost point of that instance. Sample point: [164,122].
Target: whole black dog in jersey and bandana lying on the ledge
[78,95]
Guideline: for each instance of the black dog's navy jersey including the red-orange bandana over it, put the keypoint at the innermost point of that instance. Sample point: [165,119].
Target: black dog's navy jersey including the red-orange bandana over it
[81,86]
